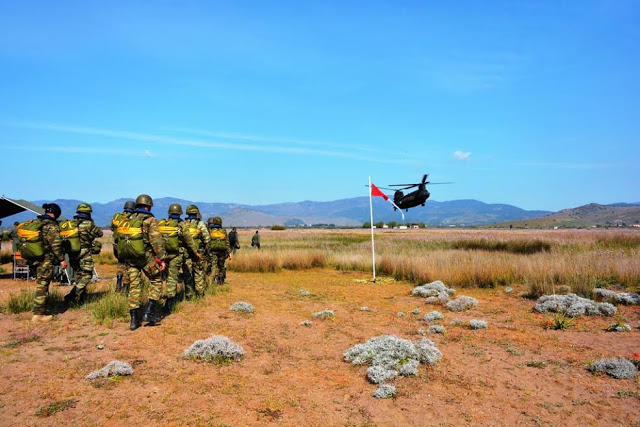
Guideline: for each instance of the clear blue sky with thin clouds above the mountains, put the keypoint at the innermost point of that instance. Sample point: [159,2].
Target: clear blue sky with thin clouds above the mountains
[529,103]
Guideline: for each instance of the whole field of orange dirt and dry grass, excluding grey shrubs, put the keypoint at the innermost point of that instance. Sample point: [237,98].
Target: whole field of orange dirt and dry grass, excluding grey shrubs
[516,372]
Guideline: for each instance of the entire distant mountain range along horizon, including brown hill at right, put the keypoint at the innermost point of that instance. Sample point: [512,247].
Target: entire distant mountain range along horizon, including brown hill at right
[355,211]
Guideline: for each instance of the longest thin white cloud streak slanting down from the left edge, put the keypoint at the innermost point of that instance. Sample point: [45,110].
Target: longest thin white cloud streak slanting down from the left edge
[168,140]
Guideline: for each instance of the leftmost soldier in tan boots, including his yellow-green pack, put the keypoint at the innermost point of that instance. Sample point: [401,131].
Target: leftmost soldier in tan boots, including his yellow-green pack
[40,244]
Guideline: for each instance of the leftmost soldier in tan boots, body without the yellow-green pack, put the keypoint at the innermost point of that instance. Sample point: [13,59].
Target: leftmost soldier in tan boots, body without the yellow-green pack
[52,244]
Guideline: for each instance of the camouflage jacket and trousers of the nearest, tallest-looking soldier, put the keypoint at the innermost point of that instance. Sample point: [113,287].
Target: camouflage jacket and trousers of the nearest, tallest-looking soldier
[154,247]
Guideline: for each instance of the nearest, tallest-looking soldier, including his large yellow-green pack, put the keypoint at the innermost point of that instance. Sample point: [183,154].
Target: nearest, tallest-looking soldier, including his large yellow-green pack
[141,246]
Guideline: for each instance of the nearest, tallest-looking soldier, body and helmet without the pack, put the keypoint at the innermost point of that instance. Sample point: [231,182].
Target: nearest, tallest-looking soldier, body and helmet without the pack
[152,266]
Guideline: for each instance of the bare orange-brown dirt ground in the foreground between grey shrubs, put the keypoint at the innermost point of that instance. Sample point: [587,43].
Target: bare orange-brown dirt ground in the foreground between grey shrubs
[295,375]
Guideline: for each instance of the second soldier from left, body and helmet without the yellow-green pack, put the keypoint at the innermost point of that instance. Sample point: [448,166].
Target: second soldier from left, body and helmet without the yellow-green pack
[82,263]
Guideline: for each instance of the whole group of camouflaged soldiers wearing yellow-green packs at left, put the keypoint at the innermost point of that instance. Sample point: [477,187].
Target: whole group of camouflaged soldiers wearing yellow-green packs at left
[159,250]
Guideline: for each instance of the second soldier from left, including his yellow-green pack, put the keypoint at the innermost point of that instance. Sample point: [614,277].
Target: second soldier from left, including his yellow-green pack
[79,238]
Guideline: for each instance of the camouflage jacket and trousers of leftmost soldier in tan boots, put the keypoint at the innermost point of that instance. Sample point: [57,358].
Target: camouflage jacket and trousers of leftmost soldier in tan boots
[52,243]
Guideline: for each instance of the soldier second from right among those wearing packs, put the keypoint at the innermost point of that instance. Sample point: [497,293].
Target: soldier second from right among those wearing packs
[194,267]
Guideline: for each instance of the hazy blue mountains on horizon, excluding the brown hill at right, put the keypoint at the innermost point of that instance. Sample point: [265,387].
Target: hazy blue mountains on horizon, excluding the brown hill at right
[344,212]
